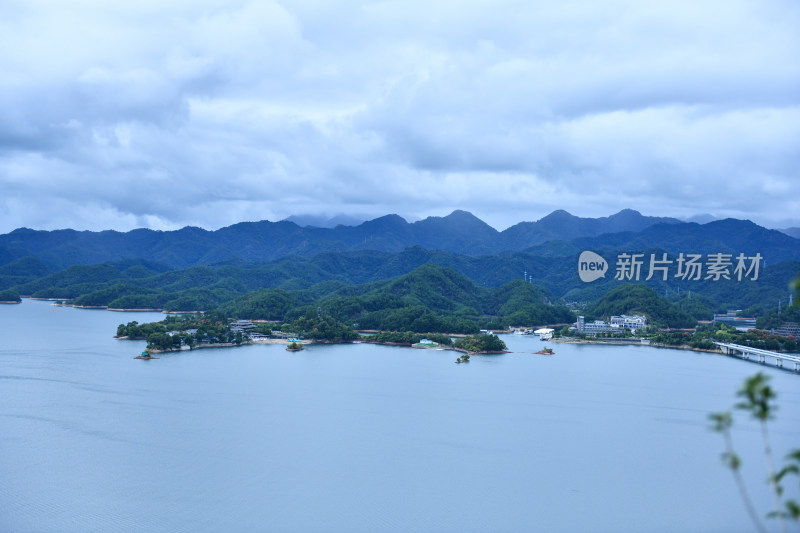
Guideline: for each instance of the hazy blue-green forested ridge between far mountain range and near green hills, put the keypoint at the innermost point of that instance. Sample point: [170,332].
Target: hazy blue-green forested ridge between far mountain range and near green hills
[144,284]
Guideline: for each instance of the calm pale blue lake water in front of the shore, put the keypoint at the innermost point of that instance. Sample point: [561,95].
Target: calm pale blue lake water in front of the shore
[365,438]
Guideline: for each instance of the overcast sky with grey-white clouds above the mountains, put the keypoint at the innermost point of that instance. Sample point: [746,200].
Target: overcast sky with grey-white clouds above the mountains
[116,115]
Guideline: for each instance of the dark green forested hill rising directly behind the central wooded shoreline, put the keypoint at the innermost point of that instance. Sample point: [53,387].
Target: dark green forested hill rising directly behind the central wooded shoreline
[430,298]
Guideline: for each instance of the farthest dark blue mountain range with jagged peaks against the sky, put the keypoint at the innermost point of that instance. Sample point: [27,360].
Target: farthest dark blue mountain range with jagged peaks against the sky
[559,234]
